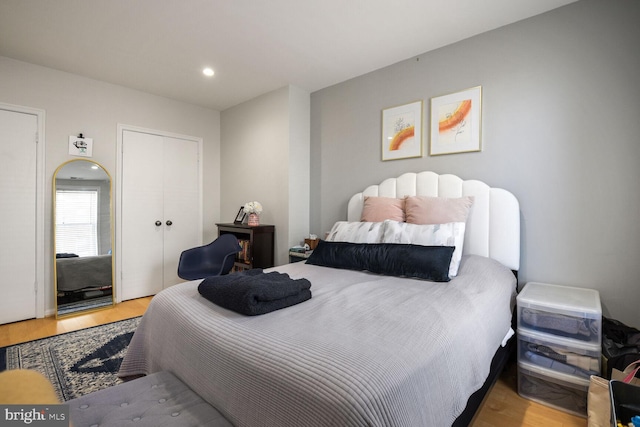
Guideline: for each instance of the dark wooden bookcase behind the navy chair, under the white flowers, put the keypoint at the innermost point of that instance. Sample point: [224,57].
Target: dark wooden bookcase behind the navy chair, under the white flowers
[256,242]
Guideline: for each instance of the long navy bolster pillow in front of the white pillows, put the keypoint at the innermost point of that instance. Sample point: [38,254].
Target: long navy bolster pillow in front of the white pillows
[390,259]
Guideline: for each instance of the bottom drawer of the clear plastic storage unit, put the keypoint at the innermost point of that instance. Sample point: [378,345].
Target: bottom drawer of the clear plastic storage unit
[560,391]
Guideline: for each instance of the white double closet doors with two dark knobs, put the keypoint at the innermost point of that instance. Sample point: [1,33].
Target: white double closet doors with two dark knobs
[161,212]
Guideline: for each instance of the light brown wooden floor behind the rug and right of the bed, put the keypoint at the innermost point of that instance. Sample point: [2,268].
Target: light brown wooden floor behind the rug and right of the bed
[502,408]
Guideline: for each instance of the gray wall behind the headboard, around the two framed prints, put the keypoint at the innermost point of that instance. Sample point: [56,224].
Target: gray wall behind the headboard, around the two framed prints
[561,130]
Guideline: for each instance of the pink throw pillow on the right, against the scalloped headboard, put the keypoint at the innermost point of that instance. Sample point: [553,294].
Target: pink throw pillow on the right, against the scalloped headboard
[437,210]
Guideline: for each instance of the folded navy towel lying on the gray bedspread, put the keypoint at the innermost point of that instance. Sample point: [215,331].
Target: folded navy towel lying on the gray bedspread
[253,292]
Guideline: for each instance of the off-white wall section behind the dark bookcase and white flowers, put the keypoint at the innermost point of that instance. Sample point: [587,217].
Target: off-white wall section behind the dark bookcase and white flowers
[265,147]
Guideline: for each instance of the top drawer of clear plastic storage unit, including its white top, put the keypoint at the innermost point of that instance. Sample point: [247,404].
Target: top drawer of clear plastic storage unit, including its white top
[574,313]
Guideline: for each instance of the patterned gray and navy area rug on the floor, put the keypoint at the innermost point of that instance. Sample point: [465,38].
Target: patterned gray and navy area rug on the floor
[76,363]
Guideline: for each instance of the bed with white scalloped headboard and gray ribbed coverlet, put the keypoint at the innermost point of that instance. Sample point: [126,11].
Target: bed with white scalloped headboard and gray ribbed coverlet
[367,349]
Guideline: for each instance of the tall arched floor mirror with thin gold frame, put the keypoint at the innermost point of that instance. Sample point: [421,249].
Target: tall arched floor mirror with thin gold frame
[83,238]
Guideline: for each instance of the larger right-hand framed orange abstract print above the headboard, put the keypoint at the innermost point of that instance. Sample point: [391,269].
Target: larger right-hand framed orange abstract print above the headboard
[456,121]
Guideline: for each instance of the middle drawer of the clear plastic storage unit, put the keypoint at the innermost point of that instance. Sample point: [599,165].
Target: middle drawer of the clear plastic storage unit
[558,354]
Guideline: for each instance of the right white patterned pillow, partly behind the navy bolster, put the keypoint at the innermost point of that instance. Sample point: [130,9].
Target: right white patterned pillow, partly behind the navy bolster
[449,234]
